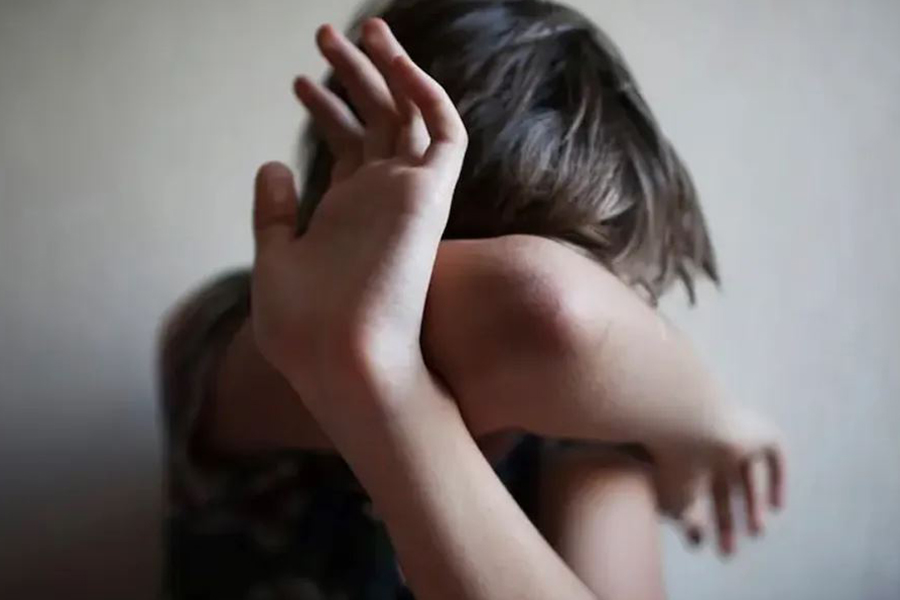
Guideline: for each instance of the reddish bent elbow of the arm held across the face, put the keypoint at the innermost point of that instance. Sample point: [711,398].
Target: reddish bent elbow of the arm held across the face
[505,304]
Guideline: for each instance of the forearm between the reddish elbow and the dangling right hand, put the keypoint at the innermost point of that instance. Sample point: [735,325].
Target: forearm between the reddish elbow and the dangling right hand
[625,377]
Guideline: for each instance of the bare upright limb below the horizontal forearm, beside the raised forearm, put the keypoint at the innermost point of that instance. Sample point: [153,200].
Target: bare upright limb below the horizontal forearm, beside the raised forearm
[597,509]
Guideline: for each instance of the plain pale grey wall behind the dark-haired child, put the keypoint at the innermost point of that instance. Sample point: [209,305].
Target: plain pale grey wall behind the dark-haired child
[129,135]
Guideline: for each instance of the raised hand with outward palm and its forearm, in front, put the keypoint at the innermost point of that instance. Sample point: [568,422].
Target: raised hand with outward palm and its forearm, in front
[352,352]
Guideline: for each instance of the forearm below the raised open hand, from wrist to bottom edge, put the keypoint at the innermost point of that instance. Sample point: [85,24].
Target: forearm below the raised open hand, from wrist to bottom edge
[457,531]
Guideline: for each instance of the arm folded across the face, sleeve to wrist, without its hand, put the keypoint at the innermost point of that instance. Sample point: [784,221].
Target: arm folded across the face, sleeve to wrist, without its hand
[528,334]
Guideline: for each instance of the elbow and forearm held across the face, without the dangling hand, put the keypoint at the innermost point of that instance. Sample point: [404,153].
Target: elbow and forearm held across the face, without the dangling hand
[571,353]
